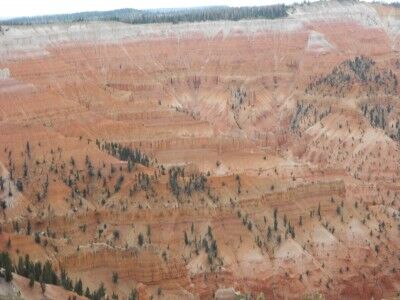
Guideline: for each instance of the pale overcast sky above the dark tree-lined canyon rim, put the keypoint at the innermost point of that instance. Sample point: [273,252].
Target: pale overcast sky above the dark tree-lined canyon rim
[15,8]
